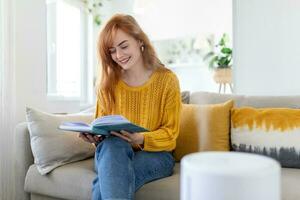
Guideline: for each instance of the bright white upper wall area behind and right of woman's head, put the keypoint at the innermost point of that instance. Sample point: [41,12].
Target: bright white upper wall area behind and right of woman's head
[183,18]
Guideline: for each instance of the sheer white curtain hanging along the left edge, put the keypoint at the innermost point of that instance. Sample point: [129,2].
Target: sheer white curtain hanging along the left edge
[7,101]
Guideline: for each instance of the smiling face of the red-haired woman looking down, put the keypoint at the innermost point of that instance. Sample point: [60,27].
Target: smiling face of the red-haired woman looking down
[126,51]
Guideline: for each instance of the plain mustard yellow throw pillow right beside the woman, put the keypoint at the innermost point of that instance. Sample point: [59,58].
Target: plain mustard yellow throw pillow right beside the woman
[203,128]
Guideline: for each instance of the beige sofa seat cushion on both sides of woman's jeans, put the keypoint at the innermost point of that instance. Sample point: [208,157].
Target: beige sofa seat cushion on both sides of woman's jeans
[74,181]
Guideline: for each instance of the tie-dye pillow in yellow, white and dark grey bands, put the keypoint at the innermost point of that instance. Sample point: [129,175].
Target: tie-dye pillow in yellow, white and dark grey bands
[274,132]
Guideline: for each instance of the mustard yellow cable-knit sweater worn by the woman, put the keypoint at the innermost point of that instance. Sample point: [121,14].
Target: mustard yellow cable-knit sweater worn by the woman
[154,105]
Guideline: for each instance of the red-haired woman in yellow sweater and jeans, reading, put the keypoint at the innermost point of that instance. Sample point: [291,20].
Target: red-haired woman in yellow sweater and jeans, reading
[134,84]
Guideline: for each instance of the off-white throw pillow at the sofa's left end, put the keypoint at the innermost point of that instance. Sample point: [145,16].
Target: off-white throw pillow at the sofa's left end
[52,147]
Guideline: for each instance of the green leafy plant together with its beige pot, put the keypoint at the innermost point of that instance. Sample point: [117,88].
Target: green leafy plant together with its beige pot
[220,60]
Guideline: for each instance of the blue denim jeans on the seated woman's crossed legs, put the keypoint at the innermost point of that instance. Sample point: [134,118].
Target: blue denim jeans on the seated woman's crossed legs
[121,171]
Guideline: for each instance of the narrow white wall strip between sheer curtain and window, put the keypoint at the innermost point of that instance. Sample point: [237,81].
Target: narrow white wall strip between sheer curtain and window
[30,54]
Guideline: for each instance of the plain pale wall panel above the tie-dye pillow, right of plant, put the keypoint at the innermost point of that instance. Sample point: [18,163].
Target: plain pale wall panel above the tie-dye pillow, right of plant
[266,47]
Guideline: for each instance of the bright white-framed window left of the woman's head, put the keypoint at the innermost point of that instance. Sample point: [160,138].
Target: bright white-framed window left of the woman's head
[69,71]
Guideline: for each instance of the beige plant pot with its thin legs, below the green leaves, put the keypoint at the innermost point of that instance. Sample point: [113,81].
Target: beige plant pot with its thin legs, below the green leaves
[223,77]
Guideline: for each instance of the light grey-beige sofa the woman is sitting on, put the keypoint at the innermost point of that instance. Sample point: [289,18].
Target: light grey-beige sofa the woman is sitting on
[73,181]
